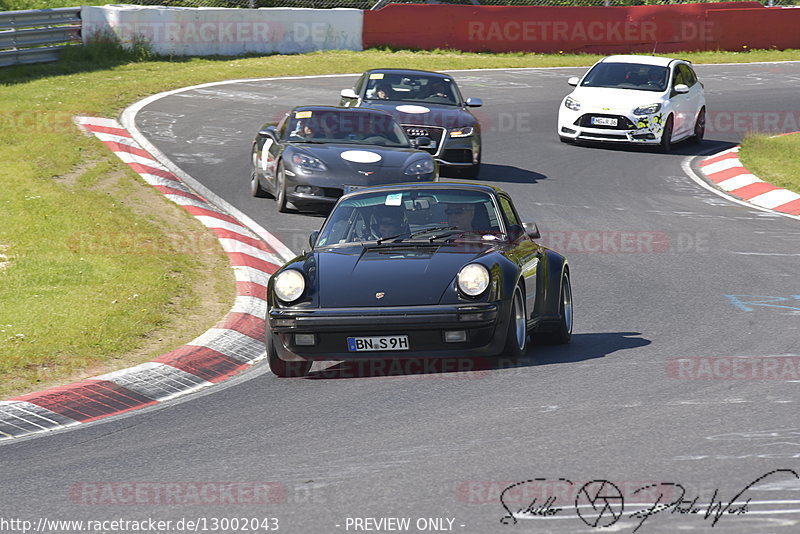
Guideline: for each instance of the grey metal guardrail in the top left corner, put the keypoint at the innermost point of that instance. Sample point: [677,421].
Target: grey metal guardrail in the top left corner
[37,35]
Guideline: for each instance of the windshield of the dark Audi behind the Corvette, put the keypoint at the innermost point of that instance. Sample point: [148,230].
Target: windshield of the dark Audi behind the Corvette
[411,88]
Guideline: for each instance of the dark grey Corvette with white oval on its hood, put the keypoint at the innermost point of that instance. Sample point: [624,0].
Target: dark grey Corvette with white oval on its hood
[315,153]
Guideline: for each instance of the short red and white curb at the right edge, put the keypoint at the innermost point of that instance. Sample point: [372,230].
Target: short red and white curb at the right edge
[726,171]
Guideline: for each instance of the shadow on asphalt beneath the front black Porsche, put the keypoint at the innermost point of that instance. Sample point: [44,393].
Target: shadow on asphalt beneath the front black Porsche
[583,347]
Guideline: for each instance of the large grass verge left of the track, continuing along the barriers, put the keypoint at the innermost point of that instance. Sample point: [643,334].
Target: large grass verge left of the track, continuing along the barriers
[88,279]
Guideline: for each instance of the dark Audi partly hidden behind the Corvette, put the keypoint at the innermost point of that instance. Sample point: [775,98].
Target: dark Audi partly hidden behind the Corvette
[426,104]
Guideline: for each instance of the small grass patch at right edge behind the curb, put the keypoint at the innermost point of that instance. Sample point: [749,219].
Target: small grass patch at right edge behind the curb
[773,159]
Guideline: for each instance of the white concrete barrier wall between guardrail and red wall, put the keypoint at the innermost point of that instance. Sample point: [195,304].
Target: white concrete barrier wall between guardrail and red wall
[229,32]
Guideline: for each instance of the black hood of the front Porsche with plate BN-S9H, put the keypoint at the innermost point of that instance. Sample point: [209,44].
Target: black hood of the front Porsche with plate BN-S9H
[407,276]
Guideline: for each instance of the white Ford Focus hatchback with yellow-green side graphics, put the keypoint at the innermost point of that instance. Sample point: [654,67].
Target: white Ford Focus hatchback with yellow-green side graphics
[634,99]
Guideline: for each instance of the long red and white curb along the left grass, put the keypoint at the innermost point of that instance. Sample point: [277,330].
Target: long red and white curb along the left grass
[233,345]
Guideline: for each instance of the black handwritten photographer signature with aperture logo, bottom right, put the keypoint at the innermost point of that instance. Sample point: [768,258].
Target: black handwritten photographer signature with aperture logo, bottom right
[600,503]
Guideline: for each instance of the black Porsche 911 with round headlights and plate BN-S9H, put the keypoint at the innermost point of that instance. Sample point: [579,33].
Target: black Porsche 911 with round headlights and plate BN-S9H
[417,271]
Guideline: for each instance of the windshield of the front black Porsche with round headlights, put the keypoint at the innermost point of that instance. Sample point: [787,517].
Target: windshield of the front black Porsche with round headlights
[412,216]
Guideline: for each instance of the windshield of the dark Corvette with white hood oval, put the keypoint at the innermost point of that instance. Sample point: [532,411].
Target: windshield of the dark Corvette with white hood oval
[346,126]
